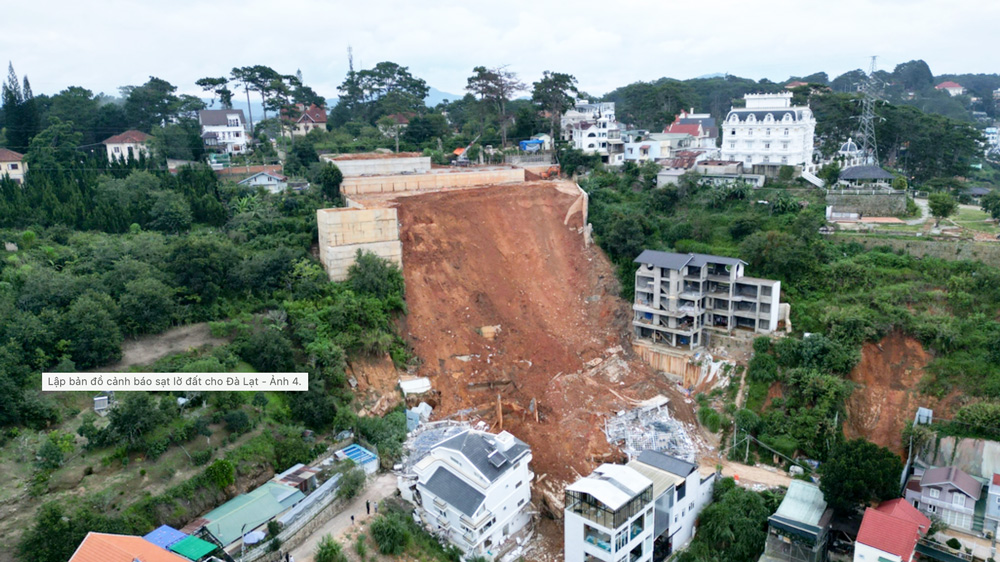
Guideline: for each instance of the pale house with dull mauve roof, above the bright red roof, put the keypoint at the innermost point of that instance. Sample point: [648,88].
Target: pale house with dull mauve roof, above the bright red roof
[946,492]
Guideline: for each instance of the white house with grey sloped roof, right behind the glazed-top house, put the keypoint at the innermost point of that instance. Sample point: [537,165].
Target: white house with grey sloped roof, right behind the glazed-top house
[680,492]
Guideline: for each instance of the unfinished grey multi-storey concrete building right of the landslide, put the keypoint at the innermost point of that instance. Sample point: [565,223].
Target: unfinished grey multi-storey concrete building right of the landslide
[678,296]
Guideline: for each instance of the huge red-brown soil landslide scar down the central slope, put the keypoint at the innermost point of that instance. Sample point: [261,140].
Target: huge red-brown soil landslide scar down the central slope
[502,256]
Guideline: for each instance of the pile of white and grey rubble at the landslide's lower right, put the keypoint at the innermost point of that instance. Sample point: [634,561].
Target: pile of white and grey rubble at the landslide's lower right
[650,427]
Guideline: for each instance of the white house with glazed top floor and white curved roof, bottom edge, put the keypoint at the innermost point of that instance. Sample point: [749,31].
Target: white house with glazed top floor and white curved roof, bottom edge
[609,516]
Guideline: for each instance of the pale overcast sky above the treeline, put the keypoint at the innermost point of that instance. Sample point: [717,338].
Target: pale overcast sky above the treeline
[103,45]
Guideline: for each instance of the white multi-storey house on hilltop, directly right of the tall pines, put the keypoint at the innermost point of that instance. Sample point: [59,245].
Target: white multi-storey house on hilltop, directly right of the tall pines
[593,129]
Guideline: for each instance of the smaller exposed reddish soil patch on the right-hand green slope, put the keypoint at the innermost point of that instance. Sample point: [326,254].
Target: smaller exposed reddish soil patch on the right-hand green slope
[886,398]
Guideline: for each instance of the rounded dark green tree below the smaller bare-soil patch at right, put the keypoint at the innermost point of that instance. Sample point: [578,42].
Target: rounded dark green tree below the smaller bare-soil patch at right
[859,473]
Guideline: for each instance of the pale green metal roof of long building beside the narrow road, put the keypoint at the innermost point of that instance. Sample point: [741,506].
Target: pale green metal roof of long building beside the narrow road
[246,512]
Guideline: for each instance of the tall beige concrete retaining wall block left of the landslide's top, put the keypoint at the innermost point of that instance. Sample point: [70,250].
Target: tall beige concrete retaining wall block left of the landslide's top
[342,232]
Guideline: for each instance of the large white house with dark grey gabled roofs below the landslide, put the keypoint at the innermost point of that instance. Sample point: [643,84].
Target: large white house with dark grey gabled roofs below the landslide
[475,489]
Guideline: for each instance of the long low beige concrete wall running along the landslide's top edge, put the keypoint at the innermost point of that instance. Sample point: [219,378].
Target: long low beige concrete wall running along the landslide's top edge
[430,181]
